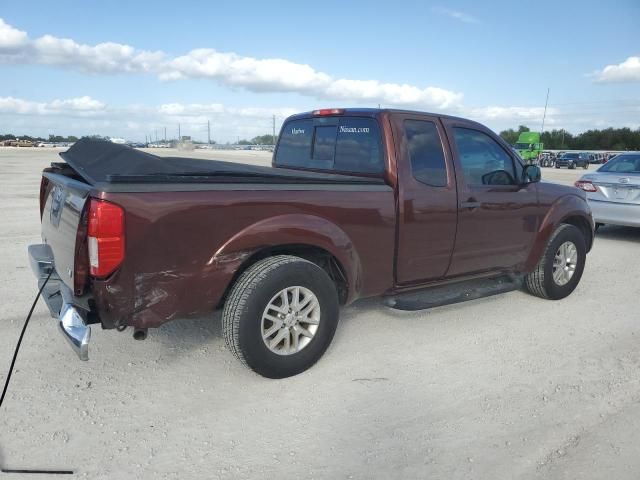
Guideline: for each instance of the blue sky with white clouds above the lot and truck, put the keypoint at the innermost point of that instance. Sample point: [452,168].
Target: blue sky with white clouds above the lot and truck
[129,68]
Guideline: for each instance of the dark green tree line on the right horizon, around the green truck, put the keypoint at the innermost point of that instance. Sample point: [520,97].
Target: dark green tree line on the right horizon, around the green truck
[606,139]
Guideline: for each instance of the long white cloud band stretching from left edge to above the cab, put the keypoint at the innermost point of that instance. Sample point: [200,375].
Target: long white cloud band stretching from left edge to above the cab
[257,75]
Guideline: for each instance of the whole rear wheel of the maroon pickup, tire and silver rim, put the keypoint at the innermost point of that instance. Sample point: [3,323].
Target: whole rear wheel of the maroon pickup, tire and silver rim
[280,316]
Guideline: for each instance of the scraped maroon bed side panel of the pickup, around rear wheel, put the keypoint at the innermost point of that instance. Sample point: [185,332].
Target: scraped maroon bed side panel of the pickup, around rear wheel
[183,248]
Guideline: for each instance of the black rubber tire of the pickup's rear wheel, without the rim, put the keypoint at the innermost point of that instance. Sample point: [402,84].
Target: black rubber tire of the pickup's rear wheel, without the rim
[250,295]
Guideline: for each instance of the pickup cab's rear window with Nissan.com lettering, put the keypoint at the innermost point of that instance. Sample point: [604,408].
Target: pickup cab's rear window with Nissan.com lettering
[344,144]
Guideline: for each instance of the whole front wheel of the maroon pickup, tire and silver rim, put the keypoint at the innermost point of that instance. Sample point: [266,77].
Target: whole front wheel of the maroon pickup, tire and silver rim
[558,272]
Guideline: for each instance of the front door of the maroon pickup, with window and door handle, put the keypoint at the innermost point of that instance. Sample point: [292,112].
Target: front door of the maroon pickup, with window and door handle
[497,216]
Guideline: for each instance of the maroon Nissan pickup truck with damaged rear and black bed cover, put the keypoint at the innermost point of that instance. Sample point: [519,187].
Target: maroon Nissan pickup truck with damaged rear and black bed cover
[421,209]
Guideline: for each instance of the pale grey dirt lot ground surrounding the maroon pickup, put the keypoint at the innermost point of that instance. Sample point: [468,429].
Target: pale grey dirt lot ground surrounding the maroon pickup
[505,387]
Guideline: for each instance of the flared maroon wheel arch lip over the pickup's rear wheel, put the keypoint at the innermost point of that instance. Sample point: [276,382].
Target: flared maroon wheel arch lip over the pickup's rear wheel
[296,229]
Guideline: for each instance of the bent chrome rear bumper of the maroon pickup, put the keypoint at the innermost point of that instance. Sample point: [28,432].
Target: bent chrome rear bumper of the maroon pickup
[63,305]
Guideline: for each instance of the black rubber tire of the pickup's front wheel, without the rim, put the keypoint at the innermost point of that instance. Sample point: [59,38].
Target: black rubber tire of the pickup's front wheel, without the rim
[540,281]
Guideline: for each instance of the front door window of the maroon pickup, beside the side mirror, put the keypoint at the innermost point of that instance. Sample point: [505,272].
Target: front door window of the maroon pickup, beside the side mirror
[483,160]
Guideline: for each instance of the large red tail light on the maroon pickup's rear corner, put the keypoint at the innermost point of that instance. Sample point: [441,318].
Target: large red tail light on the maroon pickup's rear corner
[105,237]
